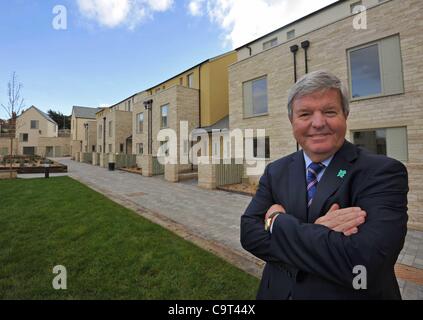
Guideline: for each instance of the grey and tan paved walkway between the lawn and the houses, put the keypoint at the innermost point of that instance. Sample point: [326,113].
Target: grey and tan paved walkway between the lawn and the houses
[208,218]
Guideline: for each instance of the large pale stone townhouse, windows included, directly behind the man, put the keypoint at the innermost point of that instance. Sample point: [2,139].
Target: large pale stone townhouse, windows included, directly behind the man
[381,63]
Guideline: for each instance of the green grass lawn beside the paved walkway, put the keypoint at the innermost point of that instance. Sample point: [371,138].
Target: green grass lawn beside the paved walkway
[109,251]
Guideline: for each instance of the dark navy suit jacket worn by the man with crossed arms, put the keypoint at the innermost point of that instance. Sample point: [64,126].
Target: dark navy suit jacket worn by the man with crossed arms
[309,261]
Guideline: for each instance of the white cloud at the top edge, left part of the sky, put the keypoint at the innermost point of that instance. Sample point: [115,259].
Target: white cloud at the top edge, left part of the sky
[114,13]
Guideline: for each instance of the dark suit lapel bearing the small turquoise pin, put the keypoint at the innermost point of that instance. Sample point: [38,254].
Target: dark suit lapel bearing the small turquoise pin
[337,172]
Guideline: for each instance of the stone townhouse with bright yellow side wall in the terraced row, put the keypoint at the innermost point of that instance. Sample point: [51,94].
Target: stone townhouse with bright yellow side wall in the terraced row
[197,96]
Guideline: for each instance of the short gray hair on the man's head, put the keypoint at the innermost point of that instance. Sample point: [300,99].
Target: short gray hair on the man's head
[318,81]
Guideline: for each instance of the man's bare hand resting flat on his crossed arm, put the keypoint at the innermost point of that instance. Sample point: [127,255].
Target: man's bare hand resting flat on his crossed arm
[344,220]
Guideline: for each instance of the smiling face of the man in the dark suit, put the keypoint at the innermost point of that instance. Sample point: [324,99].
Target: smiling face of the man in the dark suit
[319,124]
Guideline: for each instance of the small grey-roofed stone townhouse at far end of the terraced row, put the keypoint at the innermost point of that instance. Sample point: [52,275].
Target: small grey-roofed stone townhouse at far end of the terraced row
[83,130]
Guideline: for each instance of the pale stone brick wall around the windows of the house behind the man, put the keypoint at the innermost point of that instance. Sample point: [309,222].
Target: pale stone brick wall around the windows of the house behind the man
[328,50]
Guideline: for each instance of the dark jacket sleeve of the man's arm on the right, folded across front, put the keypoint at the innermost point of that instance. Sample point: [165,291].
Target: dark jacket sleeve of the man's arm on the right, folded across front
[318,250]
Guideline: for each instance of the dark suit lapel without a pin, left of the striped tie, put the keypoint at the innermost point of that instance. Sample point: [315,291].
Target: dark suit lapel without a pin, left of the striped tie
[297,187]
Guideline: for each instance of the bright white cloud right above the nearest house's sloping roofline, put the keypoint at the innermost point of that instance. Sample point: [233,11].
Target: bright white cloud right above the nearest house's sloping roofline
[244,20]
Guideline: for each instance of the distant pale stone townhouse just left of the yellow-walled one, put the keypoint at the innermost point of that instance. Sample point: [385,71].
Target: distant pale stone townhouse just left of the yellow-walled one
[114,128]
